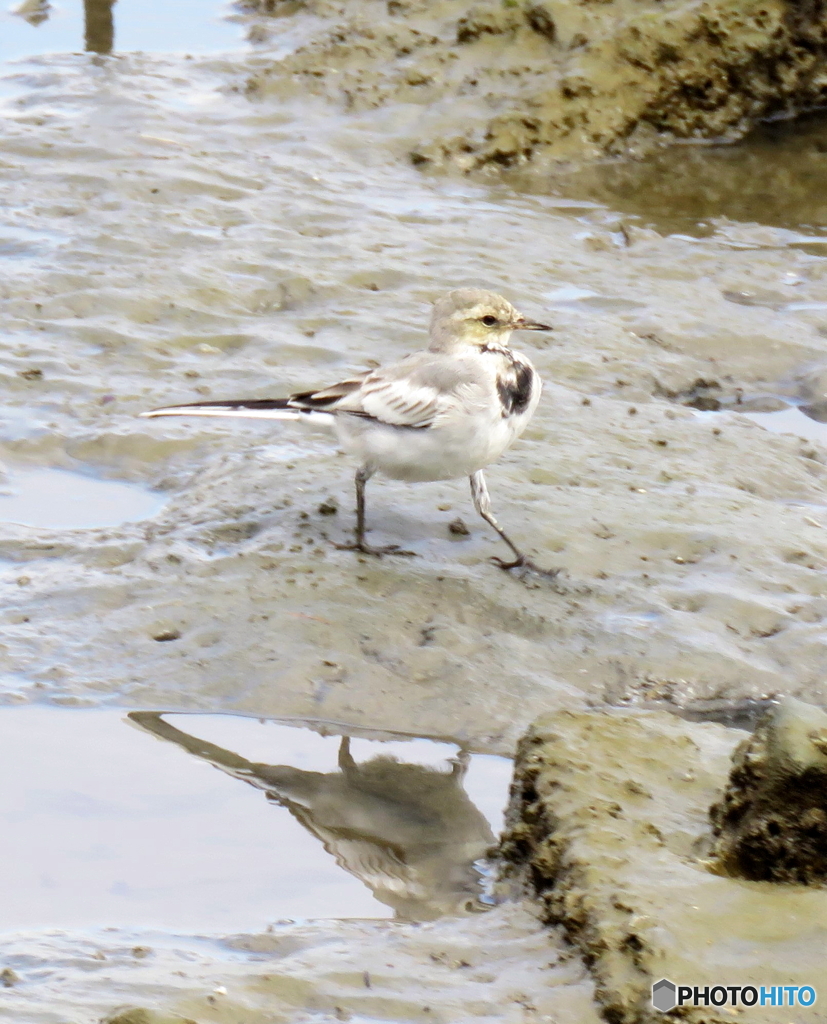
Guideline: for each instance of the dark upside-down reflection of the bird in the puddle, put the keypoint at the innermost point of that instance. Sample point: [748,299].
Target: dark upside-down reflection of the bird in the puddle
[409,832]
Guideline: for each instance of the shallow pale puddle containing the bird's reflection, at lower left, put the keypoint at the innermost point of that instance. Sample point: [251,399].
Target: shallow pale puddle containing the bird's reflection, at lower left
[105,826]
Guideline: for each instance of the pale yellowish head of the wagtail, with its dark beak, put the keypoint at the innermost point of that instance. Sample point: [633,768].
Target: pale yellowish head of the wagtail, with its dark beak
[474,317]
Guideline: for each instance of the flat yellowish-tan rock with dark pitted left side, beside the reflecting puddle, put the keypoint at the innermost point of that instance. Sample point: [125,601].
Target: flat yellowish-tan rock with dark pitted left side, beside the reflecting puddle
[607,826]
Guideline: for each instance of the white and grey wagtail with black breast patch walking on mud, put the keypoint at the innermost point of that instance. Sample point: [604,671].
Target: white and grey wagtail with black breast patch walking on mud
[437,415]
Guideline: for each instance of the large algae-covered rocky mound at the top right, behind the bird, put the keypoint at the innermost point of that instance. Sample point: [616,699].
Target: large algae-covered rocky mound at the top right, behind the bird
[502,84]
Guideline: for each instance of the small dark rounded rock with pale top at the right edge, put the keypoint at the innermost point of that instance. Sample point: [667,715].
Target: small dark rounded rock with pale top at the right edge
[771,825]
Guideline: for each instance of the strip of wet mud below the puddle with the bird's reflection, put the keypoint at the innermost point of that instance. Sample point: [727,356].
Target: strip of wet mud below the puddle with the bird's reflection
[499,967]
